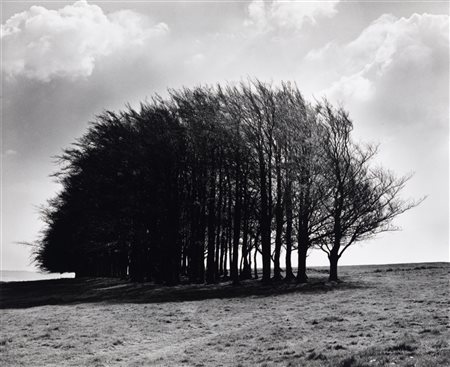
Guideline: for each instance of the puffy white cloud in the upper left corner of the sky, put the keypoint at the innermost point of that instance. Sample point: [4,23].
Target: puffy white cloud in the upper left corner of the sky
[42,44]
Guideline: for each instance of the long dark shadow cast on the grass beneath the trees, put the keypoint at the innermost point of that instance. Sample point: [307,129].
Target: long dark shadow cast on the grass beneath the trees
[106,290]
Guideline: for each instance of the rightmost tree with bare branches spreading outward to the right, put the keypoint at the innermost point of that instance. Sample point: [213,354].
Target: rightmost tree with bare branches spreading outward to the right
[361,201]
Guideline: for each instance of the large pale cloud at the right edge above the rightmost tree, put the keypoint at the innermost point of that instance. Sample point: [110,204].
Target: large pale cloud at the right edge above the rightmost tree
[401,59]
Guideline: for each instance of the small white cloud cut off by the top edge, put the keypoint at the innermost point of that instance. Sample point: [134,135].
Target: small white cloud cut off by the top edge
[290,14]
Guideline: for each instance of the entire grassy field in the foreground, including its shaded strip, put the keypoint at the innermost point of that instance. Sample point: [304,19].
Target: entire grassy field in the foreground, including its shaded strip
[378,316]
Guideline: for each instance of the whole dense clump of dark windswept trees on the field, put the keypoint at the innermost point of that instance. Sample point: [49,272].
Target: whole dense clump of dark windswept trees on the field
[207,182]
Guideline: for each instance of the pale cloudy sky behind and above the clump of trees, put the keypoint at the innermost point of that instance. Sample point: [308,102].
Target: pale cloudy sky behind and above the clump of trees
[386,62]
